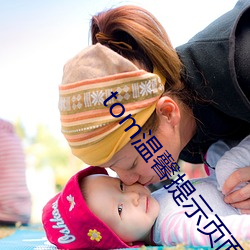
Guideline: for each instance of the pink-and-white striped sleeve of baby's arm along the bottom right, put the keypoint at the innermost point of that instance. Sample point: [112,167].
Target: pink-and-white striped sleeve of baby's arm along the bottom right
[178,228]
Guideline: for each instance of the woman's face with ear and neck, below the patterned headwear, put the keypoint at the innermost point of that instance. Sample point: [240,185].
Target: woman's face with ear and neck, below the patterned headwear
[173,133]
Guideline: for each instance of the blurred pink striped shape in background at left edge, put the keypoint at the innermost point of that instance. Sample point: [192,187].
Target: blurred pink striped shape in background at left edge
[15,200]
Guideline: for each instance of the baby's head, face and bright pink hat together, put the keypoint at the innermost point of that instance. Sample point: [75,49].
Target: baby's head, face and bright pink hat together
[96,211]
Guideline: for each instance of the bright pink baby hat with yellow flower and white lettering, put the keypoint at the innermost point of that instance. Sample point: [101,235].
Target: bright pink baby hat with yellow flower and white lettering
[69,223]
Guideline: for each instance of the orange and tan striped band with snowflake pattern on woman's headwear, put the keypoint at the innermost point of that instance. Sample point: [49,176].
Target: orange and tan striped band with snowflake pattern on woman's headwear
[84,118]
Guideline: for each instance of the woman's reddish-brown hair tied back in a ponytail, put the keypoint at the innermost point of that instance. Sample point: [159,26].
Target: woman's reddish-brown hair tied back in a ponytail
[137,35]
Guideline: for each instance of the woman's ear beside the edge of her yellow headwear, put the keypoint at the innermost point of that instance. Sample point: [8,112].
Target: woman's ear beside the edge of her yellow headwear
[168,109]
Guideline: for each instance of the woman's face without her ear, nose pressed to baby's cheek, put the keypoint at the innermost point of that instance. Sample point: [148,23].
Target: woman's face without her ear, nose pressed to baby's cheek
[131,166]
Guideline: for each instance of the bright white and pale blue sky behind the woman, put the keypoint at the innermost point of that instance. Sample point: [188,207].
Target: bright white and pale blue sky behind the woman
[38,37]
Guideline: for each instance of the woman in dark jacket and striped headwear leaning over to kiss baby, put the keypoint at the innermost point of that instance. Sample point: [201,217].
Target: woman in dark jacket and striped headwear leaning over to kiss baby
[206,94]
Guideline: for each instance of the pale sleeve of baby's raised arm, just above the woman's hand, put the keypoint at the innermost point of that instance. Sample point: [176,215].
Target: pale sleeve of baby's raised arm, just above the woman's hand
[235,158]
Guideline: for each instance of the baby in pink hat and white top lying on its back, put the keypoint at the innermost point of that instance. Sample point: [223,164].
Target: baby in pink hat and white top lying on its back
[96,211]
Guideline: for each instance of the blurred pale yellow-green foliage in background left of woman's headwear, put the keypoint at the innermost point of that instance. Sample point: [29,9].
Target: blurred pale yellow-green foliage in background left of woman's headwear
[44,150]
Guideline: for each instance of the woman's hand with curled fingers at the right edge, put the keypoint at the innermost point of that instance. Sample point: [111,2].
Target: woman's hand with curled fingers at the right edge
[240,198]
